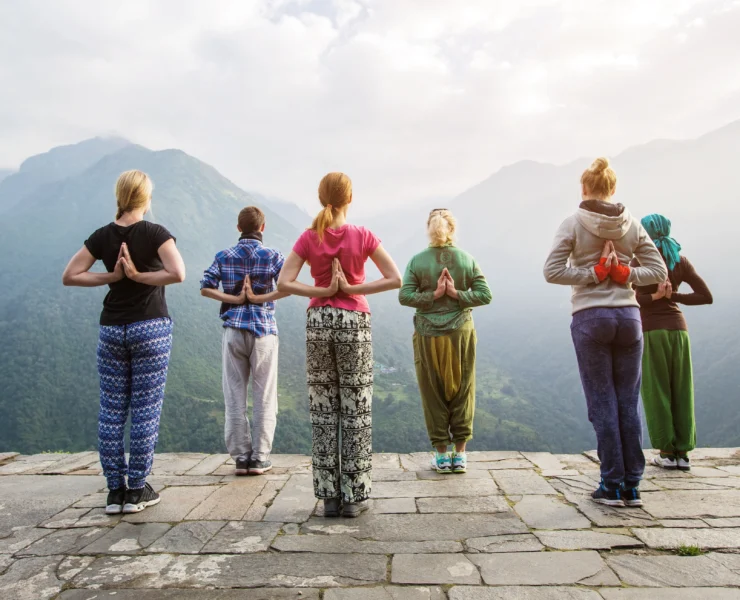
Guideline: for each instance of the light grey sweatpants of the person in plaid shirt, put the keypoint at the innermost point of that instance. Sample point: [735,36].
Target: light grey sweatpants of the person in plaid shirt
[245,355]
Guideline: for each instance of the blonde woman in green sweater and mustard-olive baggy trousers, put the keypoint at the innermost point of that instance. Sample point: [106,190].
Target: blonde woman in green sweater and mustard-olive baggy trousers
[443,284]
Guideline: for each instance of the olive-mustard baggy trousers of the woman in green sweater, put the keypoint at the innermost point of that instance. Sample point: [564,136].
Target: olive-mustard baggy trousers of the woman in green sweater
[445,371]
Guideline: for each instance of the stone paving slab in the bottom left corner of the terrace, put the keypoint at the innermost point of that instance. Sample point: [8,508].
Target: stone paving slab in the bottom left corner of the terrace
[31,579]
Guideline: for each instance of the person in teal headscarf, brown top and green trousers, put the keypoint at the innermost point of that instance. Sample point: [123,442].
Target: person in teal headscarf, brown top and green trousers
[667,377]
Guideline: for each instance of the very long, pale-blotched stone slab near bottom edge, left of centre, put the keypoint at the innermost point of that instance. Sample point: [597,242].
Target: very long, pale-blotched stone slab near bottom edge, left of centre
[230,571]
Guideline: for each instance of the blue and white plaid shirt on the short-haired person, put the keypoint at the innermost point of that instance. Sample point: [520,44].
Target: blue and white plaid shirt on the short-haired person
[262,264]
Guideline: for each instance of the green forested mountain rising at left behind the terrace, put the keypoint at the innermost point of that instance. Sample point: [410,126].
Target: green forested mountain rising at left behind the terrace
[48,381]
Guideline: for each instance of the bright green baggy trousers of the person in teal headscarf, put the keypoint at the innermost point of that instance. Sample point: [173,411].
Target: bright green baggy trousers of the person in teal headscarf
[668,391]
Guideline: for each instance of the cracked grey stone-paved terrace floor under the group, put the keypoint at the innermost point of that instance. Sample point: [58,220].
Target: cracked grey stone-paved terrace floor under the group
[518,525]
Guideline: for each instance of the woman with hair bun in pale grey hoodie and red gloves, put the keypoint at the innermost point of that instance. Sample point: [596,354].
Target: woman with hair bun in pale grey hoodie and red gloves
[592,252]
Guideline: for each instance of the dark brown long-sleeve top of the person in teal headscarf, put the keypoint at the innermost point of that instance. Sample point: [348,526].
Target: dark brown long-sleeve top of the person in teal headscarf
[665,313]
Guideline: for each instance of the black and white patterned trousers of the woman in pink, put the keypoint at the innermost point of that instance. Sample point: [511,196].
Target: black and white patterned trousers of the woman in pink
[339,366]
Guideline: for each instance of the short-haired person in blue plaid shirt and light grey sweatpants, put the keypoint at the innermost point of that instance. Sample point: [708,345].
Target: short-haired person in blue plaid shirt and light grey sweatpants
[248,272]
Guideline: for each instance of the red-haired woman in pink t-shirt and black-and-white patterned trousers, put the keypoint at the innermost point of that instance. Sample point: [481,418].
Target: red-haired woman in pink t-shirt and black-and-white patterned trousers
[339,351]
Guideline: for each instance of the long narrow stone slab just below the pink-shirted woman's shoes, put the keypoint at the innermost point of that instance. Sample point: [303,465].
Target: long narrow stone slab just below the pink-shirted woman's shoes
[346,544]
